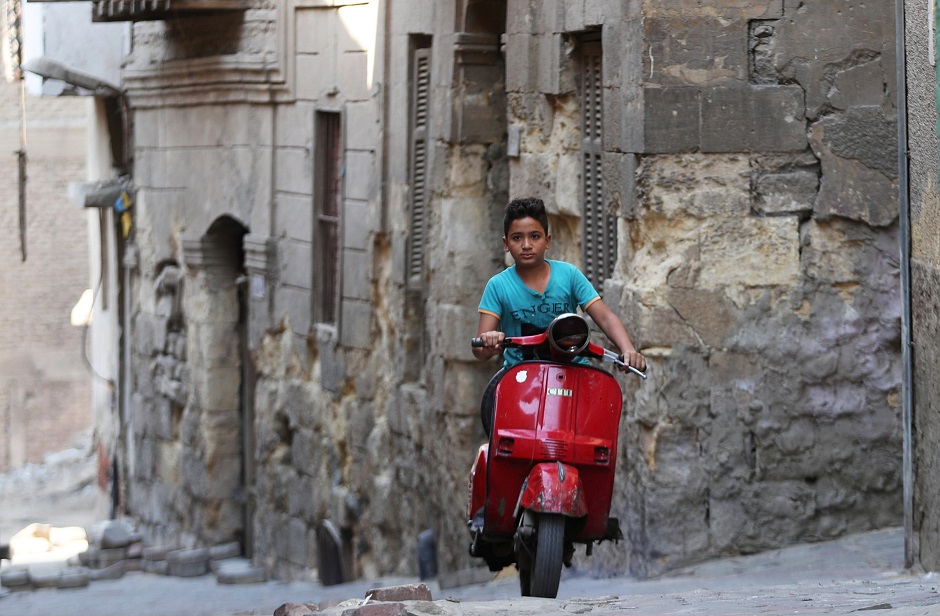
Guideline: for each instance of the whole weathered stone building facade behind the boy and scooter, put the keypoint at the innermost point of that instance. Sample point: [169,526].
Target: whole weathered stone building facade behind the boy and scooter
[319,187]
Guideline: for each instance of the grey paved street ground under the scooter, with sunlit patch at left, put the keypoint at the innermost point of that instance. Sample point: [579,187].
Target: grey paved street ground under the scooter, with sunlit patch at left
[860,573]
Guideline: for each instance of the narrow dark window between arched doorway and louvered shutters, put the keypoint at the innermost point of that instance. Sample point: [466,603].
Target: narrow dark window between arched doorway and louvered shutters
[328,178]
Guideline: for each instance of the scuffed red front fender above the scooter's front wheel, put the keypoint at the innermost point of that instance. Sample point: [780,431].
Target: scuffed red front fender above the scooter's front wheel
[553,487]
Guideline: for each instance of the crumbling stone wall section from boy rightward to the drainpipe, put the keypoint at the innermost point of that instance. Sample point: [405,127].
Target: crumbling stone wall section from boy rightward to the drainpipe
[757,266]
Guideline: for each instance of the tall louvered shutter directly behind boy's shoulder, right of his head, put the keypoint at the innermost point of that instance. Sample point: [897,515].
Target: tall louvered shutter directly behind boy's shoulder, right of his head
[599,239]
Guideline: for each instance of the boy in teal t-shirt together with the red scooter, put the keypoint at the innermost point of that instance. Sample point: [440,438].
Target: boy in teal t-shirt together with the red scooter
[544,481]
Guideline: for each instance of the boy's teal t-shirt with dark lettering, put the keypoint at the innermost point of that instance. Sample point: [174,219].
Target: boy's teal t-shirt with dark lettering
[523,312]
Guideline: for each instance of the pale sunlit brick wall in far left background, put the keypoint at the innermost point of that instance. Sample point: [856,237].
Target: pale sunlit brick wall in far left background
[45,397]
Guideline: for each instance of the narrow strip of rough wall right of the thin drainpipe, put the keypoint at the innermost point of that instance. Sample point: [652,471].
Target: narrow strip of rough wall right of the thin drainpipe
[924,150]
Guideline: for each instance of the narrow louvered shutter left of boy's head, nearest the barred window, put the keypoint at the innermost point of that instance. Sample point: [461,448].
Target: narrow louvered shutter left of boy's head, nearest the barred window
[418,161]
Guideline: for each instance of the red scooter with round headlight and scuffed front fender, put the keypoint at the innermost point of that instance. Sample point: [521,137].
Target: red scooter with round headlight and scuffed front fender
[545,479]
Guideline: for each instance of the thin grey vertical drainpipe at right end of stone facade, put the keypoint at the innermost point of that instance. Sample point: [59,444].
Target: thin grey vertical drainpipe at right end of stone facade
[907,389]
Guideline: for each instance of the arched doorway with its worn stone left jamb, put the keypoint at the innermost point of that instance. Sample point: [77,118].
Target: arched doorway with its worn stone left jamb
[223,382]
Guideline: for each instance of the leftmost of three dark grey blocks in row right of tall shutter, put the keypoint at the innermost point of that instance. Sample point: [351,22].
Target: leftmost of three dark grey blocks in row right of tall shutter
[672,119]
